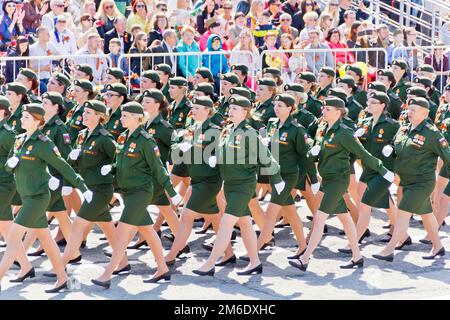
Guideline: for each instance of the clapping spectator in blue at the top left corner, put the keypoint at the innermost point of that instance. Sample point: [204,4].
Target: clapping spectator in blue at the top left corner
[11,24]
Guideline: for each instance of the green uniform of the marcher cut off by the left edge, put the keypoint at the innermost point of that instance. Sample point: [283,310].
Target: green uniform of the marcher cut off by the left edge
[7,184]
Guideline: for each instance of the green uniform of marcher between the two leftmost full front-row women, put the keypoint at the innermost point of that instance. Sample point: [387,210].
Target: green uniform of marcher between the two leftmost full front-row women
[96,150]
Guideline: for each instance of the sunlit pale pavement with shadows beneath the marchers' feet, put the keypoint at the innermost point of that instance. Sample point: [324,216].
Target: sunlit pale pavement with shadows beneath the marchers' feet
[409,277]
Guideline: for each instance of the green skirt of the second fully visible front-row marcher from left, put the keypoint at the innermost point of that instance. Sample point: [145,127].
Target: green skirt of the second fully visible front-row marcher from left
[135,206]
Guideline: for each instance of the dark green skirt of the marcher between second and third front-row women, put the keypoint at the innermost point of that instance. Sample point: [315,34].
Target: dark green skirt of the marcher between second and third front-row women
[203,197]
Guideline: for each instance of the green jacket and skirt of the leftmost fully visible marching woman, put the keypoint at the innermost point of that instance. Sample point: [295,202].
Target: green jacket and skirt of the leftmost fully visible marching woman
[31,175]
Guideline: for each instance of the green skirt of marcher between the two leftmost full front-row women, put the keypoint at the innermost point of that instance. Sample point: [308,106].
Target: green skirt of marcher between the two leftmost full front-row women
[98,209]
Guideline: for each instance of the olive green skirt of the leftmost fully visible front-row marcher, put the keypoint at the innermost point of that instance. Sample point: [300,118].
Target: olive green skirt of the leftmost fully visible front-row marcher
[32,214]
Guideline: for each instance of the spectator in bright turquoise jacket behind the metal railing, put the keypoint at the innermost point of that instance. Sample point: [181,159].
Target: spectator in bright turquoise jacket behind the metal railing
[188,64]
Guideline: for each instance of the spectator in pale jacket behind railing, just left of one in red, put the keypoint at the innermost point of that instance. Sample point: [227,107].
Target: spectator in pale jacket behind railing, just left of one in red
[317,60]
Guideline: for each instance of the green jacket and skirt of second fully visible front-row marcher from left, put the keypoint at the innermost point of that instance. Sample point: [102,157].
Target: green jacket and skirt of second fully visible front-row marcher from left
[137,162]
